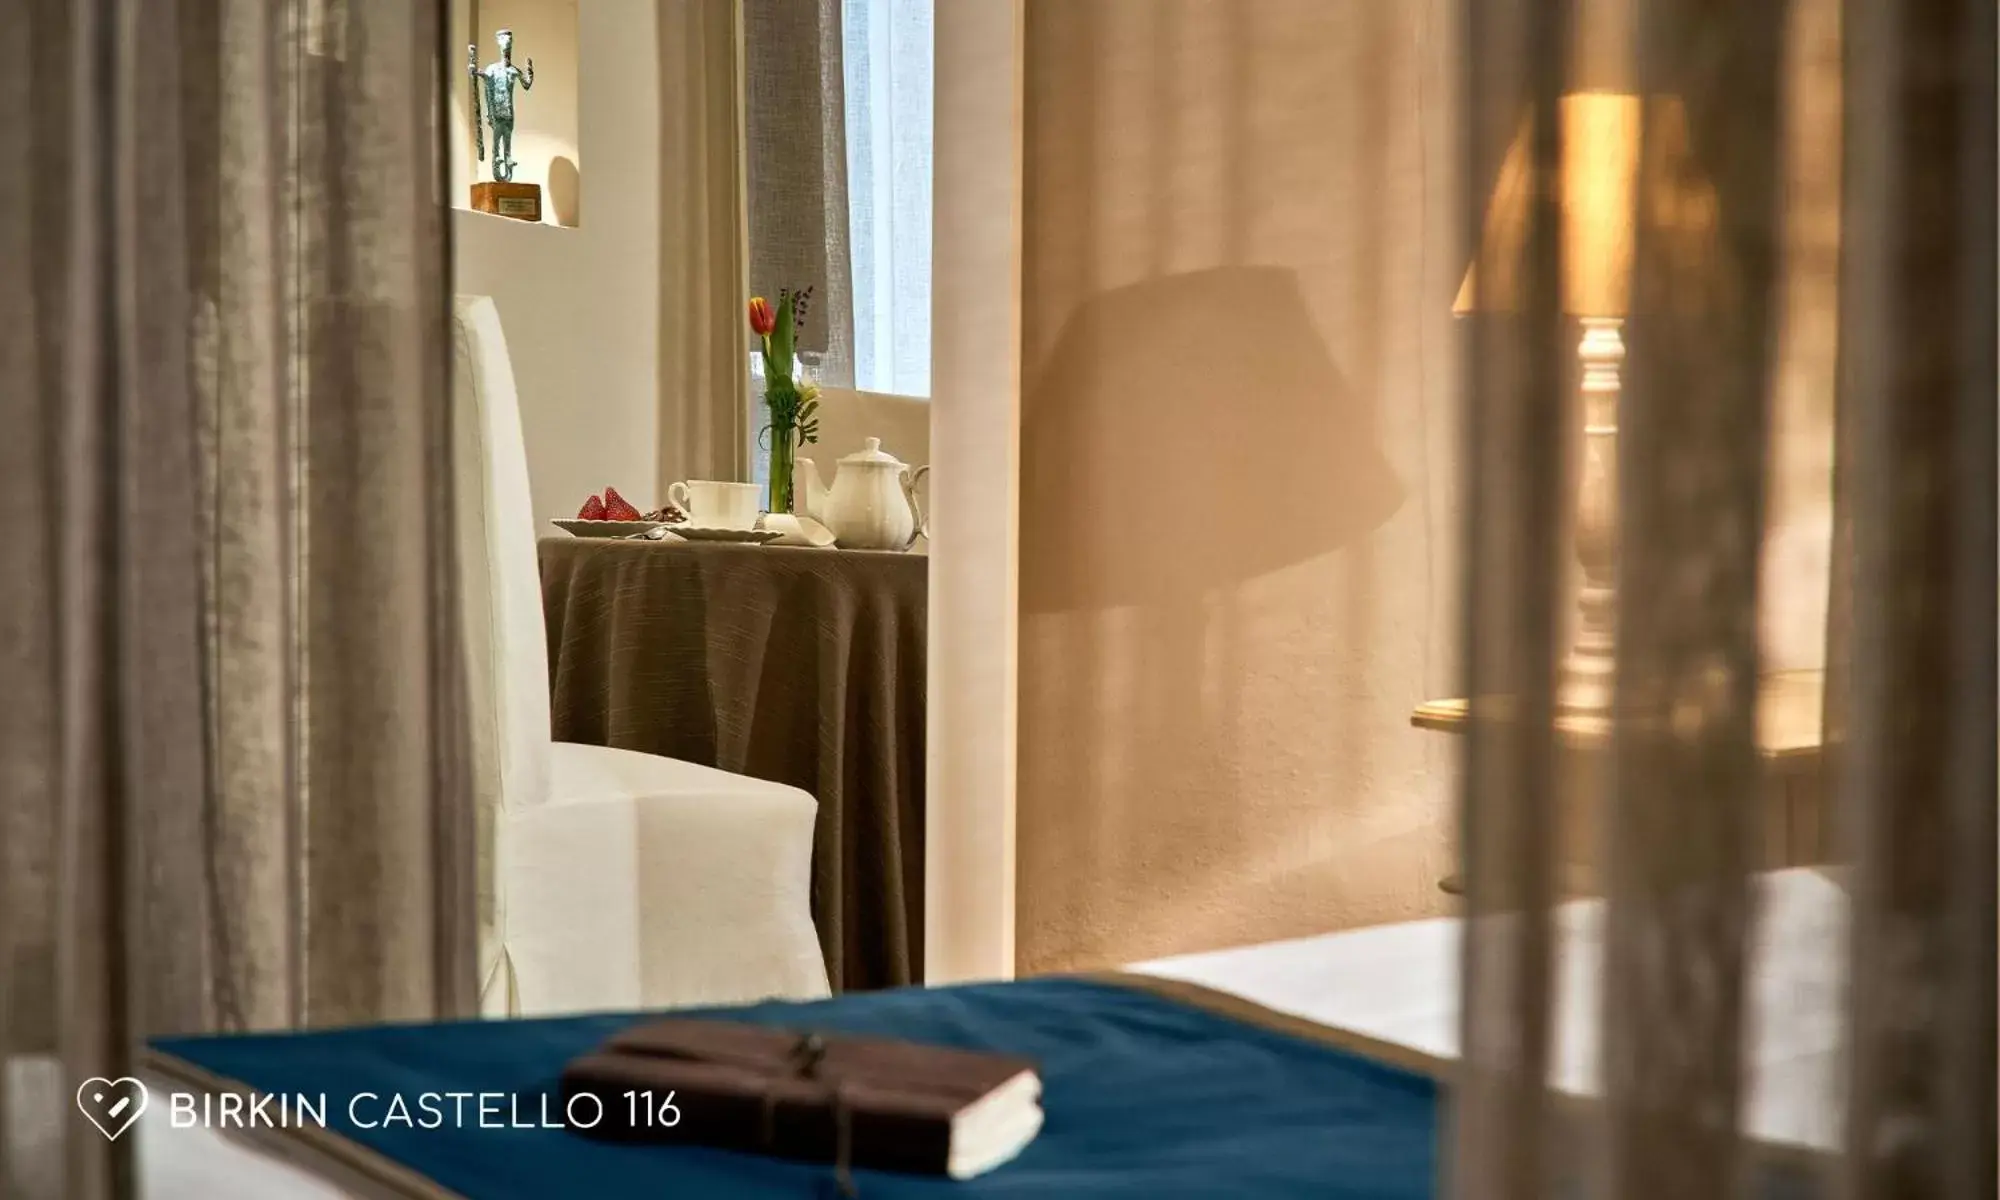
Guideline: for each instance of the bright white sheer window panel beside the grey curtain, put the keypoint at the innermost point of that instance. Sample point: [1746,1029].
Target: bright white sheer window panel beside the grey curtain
[887,63]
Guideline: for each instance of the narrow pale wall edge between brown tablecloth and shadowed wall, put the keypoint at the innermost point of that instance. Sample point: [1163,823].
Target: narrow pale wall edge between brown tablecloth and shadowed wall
[975,517]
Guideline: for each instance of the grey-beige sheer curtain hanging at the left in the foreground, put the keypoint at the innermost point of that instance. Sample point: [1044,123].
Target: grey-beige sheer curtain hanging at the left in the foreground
[231,753]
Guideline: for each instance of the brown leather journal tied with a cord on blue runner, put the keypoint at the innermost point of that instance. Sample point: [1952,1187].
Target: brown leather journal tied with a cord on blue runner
[867,1103]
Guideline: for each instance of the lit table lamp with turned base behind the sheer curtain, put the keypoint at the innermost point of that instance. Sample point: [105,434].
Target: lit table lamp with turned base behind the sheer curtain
[1601,135]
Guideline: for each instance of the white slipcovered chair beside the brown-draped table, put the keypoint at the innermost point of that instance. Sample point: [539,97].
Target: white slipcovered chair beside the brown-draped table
[609,879]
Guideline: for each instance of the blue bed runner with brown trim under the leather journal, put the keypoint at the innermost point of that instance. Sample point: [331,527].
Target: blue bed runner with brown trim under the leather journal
[1147,1097]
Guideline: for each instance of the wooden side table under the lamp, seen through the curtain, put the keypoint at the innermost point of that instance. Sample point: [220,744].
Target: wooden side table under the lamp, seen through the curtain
[1789,741]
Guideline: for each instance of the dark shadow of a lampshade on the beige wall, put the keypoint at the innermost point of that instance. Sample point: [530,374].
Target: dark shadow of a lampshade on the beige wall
[1199,435]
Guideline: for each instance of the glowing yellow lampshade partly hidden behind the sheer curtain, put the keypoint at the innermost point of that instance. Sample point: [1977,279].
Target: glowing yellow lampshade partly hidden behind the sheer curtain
[1601,135]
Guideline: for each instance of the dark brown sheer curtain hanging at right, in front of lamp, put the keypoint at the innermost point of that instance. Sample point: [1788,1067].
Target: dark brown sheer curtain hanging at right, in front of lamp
[1911,639]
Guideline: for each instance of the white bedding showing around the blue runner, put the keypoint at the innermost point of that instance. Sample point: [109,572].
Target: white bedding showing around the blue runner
[1395,983]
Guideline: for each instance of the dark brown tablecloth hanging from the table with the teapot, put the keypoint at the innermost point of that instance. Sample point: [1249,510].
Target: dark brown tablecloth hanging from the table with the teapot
[791,665]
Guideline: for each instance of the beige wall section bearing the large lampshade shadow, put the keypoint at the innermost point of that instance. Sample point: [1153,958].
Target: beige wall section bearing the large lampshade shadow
[1237,473]
